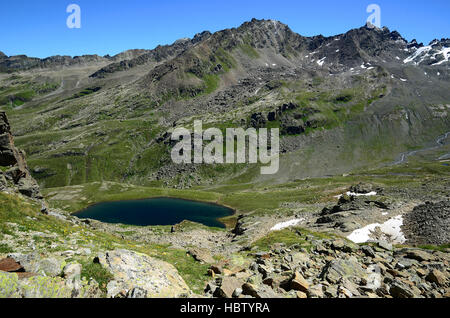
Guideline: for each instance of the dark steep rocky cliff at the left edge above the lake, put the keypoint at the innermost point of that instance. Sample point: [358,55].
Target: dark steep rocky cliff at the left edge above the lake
[14,173]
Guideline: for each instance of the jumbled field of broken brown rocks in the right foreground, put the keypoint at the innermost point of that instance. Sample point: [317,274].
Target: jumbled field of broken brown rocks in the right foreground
[334,268]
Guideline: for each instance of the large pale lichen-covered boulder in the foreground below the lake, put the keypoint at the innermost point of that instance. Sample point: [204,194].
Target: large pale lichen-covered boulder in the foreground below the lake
[154,277]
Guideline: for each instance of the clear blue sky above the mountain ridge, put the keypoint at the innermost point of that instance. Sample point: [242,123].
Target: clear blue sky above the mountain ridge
[38,28]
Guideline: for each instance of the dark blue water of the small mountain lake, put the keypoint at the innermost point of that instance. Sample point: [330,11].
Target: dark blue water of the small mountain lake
[159,211]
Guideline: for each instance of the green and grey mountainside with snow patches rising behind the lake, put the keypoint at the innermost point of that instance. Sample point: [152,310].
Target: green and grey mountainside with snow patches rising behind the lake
[354,100]
